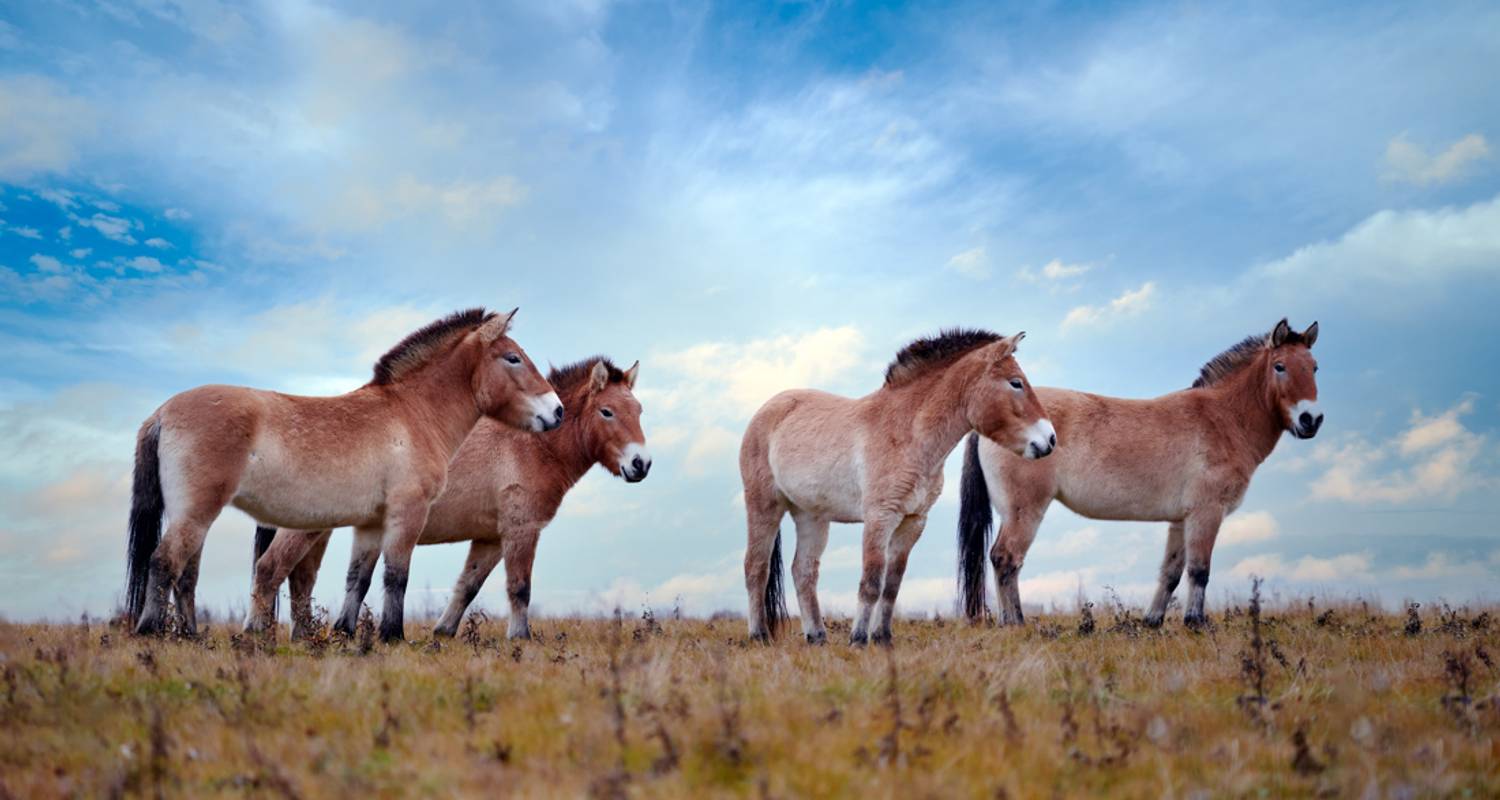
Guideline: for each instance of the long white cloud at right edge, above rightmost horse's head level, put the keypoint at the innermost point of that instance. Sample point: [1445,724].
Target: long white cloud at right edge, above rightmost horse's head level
[1411,250]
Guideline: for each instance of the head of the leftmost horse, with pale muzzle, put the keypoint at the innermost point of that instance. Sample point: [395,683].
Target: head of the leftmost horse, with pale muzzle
[508,386]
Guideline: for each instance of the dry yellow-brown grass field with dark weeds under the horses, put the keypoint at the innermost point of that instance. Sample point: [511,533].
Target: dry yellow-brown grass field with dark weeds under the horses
[1301,700]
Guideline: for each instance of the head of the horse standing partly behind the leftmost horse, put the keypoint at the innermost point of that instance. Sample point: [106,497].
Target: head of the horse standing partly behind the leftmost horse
[611,423]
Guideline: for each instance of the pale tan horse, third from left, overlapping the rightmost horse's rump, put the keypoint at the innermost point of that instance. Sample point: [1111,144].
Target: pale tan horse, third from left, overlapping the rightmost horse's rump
[877,460]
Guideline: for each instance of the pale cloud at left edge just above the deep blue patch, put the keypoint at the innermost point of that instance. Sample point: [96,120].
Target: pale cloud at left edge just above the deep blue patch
[41,127]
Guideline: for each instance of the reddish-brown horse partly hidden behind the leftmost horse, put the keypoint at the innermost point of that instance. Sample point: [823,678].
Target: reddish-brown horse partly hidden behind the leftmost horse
[503,489]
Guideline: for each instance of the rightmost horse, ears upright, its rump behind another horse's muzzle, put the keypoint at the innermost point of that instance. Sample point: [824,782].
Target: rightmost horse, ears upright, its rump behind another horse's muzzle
[1184,459]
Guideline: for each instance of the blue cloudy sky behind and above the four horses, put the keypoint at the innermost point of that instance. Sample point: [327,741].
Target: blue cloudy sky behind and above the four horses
[748,199]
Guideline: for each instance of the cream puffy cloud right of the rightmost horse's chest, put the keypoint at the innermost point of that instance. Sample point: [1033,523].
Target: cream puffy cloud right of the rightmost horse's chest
[1433,460]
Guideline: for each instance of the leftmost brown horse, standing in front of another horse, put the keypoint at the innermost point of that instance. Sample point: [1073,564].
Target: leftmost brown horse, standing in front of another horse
[373,459]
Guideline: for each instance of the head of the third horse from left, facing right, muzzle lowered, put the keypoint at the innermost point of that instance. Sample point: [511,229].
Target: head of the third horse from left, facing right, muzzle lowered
[1004,408]
